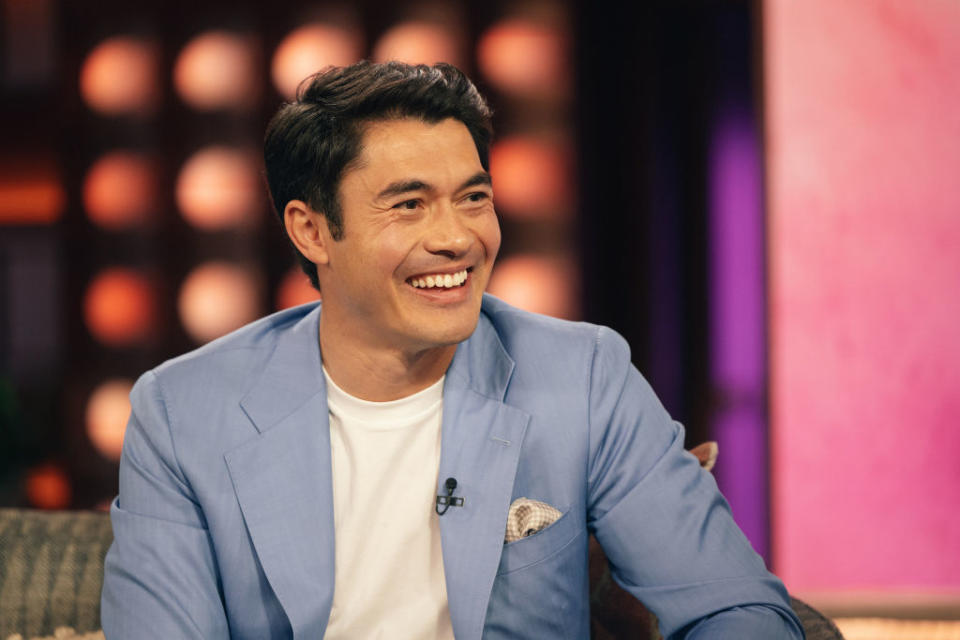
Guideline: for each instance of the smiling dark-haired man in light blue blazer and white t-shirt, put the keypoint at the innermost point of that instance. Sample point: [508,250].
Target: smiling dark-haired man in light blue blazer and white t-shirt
[358,469]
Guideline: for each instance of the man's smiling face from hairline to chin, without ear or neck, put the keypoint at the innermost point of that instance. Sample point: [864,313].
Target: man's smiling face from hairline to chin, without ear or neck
[420,238]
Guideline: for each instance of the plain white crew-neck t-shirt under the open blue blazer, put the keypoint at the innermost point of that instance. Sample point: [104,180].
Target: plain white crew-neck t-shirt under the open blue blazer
[389,580]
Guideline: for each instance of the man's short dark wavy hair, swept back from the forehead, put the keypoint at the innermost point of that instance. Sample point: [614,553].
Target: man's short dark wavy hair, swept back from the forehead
[312,141]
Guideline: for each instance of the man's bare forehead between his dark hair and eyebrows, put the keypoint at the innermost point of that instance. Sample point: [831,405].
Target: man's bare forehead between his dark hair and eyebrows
[395,148]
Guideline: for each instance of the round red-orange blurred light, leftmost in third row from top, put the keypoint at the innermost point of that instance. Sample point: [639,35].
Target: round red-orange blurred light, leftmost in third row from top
[119,307]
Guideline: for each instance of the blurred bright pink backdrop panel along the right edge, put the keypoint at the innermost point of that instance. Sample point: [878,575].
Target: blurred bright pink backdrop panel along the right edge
[863,148]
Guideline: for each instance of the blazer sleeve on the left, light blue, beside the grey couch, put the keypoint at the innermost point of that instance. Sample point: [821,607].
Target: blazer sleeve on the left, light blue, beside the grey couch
[160,574]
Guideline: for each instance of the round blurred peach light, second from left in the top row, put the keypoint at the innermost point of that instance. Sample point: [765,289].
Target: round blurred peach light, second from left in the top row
[218,70]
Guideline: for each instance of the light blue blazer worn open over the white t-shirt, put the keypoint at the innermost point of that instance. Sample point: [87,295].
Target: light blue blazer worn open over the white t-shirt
[224,522]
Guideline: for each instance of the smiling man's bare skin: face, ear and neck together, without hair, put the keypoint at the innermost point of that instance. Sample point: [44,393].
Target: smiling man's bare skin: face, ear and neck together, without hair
[403,281]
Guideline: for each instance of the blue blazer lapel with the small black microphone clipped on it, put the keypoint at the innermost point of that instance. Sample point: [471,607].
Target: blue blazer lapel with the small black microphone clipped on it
[480,447]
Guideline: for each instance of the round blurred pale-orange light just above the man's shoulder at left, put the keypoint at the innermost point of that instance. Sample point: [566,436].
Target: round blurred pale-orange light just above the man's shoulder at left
[217,298]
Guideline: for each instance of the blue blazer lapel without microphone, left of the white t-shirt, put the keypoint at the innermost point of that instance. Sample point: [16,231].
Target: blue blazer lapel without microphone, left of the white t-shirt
[283,479]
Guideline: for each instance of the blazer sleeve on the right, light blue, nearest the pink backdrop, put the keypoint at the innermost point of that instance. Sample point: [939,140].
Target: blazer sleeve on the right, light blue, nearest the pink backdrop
[663,524]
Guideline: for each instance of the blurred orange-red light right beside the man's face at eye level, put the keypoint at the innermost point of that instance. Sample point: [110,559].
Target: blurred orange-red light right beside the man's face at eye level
[531,178]
